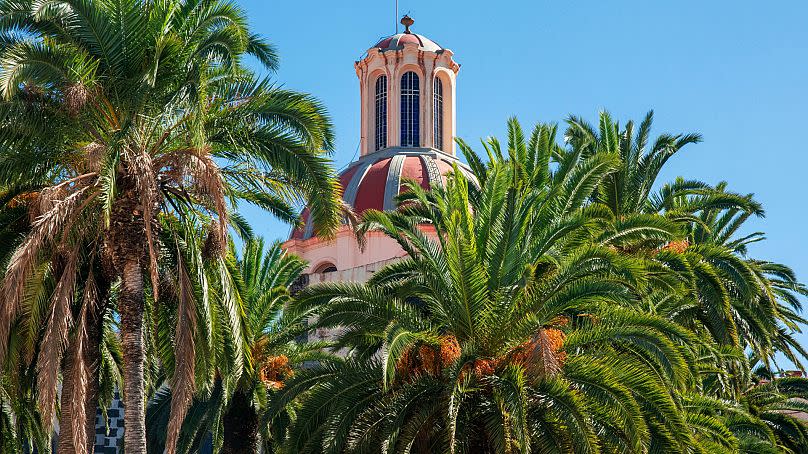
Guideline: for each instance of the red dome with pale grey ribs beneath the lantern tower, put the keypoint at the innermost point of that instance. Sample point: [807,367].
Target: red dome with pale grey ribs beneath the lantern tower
[376,179]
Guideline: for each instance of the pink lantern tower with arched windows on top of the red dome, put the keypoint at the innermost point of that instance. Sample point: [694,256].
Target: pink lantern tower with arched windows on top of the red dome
[407,91]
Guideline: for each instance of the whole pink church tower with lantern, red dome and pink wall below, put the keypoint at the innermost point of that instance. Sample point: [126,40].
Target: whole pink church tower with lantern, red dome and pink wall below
[407,100]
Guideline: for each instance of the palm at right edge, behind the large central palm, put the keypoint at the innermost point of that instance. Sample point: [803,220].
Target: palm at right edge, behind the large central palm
[726,294]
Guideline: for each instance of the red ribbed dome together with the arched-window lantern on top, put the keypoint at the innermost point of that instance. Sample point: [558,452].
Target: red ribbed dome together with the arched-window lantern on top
[407,86]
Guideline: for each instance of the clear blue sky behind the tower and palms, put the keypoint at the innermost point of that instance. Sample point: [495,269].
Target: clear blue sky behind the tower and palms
[734,71]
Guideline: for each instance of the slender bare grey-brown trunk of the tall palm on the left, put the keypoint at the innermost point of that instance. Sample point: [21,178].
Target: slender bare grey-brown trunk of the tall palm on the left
[132,305]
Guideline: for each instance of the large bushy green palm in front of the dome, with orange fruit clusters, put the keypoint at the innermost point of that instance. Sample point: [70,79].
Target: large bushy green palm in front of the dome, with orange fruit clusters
[508,330]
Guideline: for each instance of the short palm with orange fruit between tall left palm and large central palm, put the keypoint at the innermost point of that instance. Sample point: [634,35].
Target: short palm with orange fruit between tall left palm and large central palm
[235,409]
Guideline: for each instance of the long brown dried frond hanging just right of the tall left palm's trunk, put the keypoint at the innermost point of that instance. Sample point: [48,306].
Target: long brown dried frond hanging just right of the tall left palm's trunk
[182,382]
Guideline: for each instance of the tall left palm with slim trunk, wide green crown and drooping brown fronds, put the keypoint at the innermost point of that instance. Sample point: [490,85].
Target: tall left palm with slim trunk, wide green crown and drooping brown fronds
[131,110]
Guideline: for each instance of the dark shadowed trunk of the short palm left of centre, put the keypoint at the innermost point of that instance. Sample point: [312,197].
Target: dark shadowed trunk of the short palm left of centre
[240,426]
